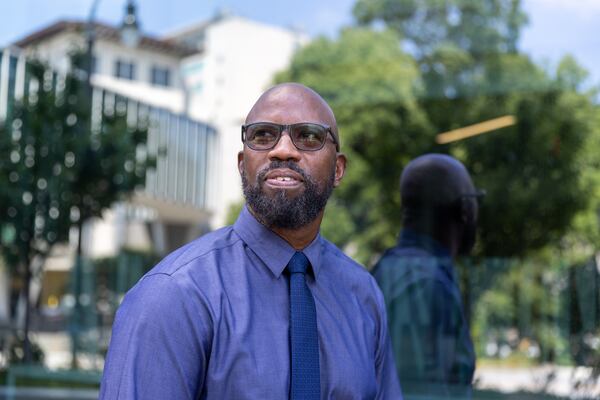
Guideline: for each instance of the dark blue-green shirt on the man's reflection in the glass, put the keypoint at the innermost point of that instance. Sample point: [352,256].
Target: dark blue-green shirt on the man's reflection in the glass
[430,335]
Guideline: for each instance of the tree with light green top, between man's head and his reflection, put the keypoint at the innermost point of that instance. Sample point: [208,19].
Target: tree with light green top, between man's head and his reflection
[371,84]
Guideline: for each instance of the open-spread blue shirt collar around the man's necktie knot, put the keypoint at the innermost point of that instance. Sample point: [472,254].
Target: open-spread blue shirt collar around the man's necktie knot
[272,249]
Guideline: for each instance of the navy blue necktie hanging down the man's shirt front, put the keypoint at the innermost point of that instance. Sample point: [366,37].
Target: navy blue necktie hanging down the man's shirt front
[306,377]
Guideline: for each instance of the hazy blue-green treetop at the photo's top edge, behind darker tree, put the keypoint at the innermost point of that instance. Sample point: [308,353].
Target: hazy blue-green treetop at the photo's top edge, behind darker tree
[449,39]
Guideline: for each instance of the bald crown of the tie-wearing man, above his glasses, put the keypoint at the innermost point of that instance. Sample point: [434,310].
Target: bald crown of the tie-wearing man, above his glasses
[293,102]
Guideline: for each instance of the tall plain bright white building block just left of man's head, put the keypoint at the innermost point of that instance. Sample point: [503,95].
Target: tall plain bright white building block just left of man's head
[236,62]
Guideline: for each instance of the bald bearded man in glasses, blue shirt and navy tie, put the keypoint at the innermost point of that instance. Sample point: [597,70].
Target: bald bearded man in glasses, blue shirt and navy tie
[267,308]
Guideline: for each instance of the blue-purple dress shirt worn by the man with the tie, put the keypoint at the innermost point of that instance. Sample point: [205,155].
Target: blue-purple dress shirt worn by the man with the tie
[211,321]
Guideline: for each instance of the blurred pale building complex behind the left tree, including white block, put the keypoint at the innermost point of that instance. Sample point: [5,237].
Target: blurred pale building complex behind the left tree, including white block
[197,84]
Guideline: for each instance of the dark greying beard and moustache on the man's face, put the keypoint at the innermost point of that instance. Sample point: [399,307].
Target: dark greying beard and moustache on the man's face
[281,211]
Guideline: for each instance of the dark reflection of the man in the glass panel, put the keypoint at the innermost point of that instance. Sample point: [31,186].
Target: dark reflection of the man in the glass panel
[431,340]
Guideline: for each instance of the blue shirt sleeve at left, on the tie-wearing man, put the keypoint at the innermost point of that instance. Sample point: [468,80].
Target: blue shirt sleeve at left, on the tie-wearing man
[159,344]
